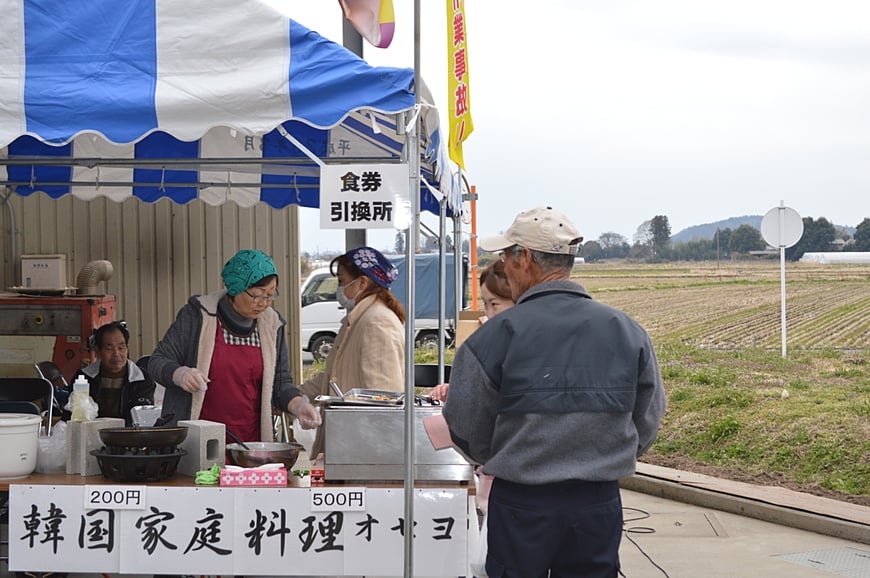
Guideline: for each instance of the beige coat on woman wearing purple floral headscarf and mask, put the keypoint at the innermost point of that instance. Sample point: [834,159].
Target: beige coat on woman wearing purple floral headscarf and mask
[369,352]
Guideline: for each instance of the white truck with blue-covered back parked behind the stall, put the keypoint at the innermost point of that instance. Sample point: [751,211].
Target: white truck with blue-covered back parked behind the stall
[322,314]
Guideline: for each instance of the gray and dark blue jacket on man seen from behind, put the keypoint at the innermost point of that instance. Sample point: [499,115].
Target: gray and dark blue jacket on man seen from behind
[559,387]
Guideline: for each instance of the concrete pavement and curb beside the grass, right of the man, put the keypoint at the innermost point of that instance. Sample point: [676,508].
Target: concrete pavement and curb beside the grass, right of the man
[683,525]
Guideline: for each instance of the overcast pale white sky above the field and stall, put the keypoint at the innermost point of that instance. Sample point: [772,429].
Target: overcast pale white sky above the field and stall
[616,111]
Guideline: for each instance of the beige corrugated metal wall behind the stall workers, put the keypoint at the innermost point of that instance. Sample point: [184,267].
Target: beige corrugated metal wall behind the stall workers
[162,253]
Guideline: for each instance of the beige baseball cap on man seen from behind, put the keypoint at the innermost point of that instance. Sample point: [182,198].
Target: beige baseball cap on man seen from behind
[542,229]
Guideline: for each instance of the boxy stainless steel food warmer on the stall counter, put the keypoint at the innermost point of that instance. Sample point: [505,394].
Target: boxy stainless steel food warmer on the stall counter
[367,444]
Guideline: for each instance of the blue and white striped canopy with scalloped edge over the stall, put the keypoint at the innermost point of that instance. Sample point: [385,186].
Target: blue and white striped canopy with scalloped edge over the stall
[210,99]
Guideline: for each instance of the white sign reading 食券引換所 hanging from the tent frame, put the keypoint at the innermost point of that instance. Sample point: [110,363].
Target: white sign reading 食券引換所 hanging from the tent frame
[364,196]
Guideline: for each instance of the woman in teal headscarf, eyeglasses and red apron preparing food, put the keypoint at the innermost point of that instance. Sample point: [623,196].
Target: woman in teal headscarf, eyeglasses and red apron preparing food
[224,358]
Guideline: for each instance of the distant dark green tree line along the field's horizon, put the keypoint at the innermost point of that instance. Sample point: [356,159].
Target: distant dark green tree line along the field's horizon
[652,242]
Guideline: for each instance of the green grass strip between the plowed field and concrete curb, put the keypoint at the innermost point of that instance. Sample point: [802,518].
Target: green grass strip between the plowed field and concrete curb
[727,409]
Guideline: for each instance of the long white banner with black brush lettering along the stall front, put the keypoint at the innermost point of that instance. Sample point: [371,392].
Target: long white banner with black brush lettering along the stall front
[240,530]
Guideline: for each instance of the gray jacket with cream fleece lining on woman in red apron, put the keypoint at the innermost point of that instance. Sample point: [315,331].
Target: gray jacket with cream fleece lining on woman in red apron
[189,342]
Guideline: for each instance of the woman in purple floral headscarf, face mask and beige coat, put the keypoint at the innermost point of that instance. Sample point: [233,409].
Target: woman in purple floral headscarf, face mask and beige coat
[369,350]
